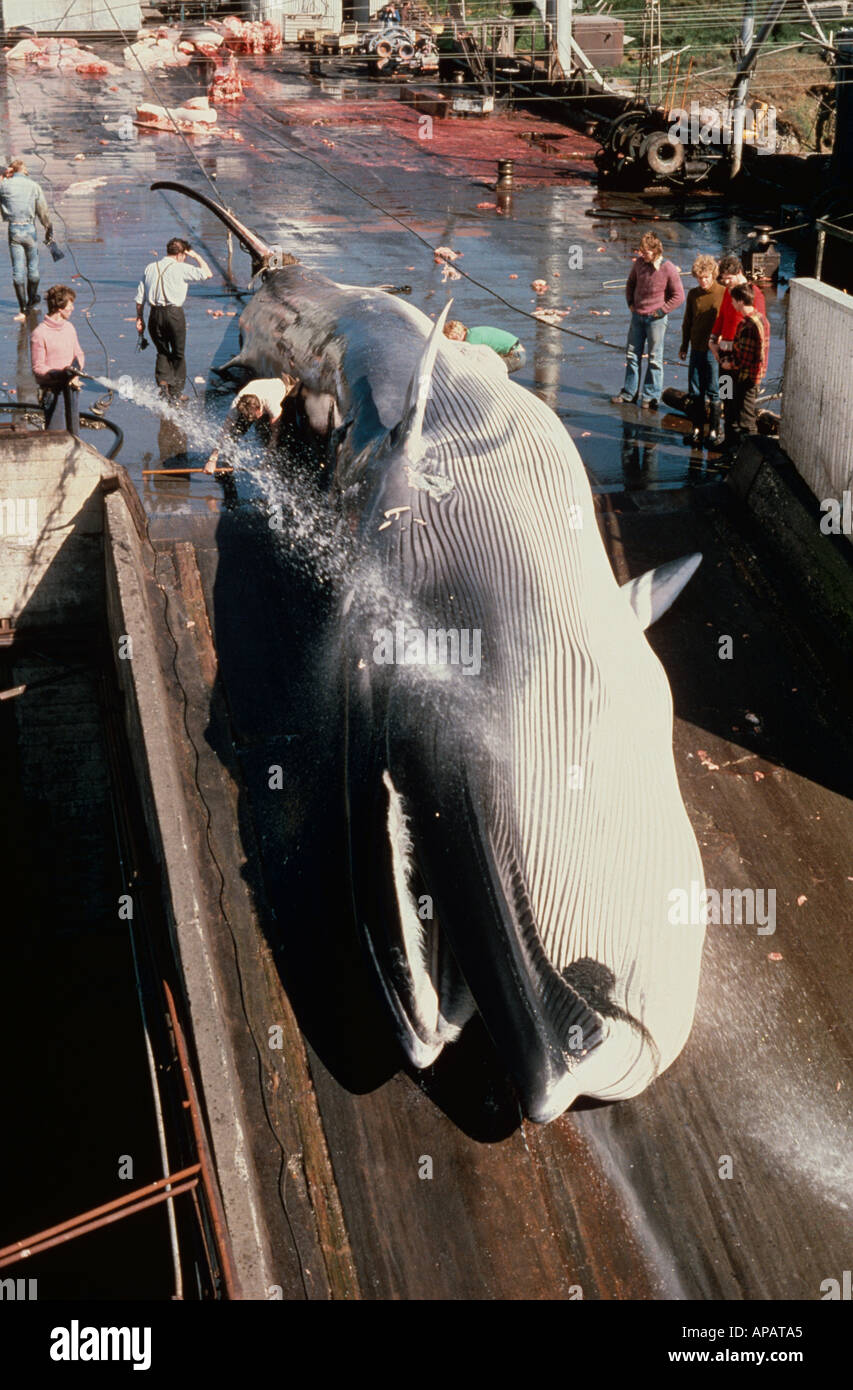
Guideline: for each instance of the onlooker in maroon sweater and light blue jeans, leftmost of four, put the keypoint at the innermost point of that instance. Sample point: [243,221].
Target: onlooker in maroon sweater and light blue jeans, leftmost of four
[654,291]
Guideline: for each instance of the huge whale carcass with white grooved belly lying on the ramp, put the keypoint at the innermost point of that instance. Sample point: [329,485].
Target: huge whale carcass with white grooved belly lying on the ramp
[517,832]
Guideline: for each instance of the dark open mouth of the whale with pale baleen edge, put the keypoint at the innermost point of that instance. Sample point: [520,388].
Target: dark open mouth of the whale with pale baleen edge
[474,947]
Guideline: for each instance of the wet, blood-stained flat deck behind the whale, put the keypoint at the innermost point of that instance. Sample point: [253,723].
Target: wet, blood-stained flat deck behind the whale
[279,162]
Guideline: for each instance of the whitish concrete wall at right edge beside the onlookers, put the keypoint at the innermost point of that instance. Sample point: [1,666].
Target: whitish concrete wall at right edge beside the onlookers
[818,395]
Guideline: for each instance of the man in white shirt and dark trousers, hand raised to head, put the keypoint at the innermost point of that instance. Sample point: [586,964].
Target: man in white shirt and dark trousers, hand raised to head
[165,287]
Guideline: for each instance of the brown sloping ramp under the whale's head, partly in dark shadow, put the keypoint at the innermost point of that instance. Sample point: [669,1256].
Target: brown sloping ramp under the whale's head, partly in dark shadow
[622,1202]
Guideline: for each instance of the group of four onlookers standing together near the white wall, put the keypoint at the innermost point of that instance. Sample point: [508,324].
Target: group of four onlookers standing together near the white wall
[724,332]
